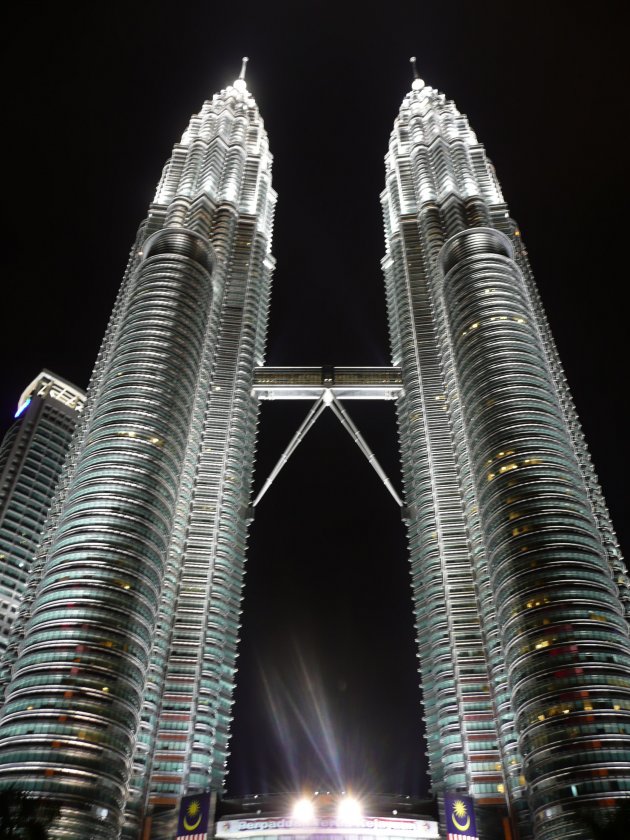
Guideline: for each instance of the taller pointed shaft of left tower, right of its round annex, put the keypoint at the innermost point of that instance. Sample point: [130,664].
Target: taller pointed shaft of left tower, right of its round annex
[226,196]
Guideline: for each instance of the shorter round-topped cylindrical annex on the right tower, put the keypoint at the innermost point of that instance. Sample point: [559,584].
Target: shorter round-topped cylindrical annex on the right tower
[564,637]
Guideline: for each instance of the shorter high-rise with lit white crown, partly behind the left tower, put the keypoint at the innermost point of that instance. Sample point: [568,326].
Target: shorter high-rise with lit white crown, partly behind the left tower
[31,457]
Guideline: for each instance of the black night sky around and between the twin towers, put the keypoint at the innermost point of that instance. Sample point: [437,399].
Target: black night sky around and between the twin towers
[95,96]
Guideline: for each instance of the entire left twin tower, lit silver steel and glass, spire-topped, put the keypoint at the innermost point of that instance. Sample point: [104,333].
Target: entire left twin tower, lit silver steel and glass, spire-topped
[122,671]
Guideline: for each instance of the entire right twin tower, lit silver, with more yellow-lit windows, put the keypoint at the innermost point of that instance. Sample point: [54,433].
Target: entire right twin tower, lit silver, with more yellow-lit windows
[519,589]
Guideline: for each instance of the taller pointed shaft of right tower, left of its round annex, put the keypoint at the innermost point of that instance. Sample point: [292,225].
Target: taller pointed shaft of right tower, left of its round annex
[438,182]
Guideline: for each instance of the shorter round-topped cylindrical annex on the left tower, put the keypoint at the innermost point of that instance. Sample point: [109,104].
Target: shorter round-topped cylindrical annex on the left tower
[73,703]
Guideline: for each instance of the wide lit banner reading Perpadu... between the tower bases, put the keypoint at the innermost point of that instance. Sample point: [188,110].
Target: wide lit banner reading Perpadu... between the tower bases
[367,826]
